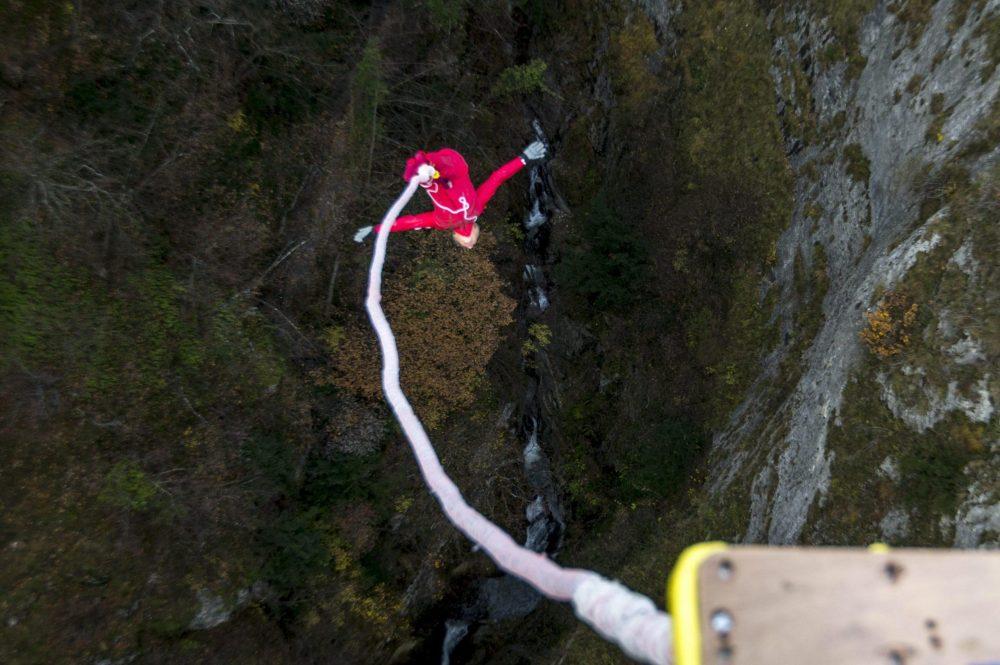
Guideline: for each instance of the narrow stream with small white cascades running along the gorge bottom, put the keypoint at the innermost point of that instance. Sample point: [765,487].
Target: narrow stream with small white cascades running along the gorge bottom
[506,597]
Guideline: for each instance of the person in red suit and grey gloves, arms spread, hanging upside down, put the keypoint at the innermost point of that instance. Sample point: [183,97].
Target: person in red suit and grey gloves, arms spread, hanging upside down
[457,203]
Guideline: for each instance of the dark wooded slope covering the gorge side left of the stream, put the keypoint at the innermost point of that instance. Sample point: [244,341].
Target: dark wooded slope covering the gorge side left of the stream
[179,182]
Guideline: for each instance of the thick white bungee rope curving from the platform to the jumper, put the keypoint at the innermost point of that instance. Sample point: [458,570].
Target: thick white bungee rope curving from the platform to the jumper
[618,614]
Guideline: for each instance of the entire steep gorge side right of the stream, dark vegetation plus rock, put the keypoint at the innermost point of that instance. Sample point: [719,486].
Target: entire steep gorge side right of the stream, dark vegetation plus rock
[866,407]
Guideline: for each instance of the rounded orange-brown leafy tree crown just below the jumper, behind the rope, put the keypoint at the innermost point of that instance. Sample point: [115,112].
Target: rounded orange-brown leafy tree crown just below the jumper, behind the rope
[447,309]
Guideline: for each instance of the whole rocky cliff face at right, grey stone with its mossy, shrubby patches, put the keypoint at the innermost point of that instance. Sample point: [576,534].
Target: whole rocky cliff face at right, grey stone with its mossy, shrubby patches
[895,200]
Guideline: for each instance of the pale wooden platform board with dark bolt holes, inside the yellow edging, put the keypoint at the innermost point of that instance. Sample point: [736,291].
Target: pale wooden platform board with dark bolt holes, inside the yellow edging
[821,606]
